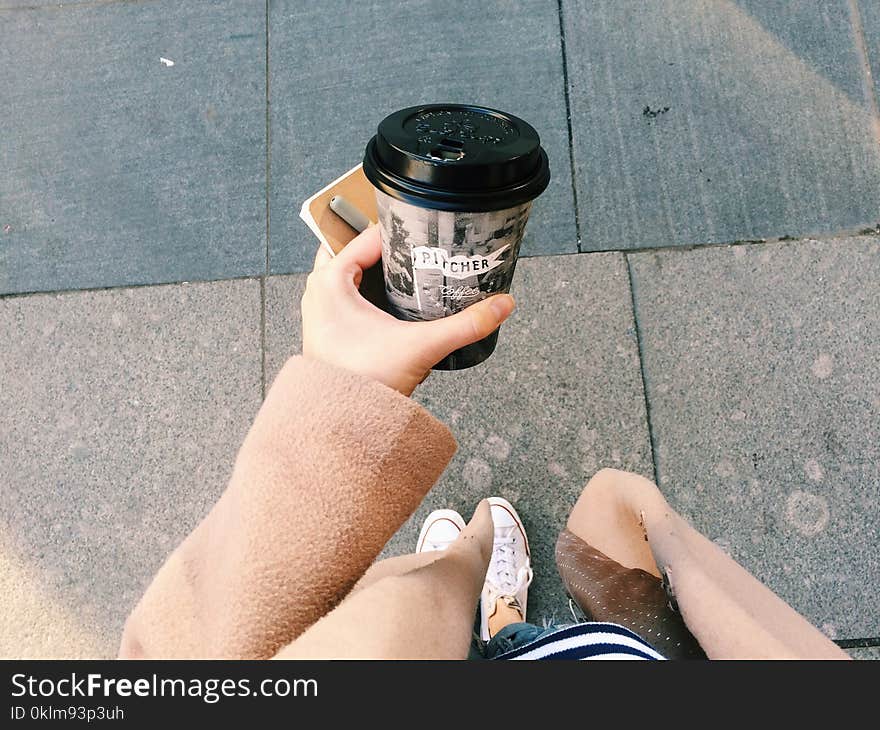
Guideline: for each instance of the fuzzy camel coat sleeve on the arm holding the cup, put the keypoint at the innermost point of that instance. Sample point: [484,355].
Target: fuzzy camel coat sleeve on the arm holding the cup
[332,466]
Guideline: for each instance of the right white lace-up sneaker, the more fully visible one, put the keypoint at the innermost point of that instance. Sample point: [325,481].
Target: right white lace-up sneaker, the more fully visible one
[510,570]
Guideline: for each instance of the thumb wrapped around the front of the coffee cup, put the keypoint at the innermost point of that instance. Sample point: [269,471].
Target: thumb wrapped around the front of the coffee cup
[439,337]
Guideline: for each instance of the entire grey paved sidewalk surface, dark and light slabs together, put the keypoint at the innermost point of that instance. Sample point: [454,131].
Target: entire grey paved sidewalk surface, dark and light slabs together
[697,302]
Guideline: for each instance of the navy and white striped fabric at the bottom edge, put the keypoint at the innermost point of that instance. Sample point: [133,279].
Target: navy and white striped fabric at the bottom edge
[586,641]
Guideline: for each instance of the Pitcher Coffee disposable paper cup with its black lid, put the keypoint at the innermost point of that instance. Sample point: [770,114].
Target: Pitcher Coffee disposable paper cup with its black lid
[454,188]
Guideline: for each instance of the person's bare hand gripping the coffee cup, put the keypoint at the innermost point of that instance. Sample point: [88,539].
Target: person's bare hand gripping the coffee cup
[342,328]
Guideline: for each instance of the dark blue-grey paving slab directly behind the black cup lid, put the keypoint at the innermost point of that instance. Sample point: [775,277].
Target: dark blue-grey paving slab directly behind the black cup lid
[338,68]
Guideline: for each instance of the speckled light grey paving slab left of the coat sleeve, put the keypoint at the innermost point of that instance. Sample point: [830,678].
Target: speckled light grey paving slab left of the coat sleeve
[123,412]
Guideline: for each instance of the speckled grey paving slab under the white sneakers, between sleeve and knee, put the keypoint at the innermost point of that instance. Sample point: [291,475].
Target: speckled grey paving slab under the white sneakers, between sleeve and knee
[559,399]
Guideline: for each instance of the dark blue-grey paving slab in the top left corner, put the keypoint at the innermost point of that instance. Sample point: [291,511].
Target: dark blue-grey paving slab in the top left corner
[119,168]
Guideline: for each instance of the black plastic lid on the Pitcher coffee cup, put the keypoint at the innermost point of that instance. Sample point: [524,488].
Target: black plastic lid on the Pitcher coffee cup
[457,157]
